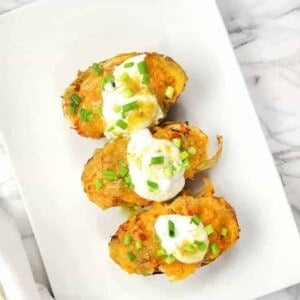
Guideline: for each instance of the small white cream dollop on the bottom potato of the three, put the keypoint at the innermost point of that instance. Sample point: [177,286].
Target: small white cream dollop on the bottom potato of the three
[184,245]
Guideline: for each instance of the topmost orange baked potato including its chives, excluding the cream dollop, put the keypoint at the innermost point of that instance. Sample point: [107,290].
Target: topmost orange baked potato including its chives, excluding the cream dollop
[83,98]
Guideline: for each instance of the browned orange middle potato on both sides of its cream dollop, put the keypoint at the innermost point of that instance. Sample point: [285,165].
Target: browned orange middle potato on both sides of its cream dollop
[113,154]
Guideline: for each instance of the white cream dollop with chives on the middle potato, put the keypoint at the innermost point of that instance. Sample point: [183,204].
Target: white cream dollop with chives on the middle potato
[142,147]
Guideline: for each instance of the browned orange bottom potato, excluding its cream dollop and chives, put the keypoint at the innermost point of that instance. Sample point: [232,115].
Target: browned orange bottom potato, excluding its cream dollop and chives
[211,210]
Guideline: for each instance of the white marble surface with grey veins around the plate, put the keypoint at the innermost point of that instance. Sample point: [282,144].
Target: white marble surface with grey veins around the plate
[266,38]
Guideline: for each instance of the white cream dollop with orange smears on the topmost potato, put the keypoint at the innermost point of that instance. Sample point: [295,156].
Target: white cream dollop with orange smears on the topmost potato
[116,95]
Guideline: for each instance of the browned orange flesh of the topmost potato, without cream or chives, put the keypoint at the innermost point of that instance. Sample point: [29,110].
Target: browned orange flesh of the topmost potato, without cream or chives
[163,72]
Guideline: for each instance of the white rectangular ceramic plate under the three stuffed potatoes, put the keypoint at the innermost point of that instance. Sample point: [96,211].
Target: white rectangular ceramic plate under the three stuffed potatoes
[42,47]
